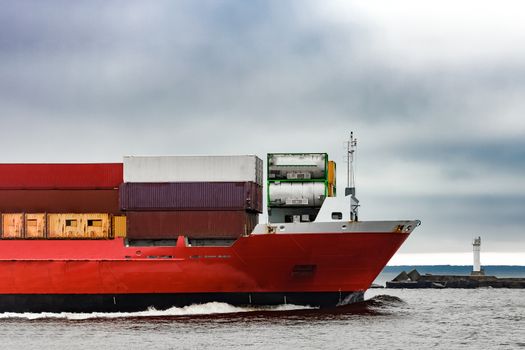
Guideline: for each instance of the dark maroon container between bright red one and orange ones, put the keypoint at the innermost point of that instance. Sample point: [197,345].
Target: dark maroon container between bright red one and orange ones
[59,201]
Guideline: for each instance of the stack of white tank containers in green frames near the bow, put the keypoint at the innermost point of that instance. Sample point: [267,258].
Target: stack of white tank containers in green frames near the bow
[298,183]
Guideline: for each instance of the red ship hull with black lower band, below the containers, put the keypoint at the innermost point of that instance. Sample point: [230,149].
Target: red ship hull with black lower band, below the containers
[318,269]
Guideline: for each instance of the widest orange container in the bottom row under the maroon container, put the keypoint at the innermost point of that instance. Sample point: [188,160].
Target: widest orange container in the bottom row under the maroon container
[78,226]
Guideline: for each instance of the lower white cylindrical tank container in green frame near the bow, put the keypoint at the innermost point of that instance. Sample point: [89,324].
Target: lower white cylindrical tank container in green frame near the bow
[310,194]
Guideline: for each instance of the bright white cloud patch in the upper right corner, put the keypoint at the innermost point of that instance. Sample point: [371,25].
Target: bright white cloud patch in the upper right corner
[416,36]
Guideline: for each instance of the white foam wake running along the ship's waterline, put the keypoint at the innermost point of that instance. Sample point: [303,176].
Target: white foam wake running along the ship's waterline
[197,309]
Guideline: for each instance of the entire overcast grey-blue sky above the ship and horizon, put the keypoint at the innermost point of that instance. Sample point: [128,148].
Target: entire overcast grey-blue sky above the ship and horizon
[434,91]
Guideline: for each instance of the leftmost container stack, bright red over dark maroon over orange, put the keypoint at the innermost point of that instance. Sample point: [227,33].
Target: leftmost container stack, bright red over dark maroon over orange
[58,200]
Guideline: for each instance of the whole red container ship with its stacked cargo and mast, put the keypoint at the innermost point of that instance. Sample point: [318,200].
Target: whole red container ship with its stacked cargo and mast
[178,230]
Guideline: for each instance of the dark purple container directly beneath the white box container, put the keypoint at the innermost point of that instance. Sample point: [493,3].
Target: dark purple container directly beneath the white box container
[191,196]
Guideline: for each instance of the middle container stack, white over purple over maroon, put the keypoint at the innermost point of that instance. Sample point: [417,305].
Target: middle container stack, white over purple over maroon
[194,196]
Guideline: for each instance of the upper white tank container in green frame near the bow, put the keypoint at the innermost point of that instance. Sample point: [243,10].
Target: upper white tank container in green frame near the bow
[297,166]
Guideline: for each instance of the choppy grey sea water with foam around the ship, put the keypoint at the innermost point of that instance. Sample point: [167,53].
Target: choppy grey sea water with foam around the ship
[388,319]
